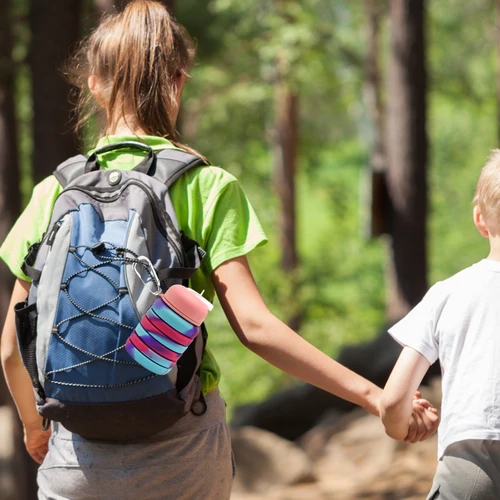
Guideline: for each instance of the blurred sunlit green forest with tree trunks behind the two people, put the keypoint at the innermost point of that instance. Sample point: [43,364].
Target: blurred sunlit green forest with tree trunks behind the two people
[289,81]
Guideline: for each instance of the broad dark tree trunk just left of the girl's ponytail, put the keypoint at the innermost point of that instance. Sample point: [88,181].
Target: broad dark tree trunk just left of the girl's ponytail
[55,29]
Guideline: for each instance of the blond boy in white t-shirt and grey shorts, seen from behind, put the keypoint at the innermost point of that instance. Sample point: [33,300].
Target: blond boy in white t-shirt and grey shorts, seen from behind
[458,322]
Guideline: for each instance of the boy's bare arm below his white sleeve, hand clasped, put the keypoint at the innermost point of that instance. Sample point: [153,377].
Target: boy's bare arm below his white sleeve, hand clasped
[397,403]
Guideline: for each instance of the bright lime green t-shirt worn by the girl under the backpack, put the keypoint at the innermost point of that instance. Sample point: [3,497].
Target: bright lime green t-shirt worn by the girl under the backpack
[210,206]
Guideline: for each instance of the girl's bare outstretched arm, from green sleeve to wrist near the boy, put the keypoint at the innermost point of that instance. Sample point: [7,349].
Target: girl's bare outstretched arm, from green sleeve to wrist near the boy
[263,333]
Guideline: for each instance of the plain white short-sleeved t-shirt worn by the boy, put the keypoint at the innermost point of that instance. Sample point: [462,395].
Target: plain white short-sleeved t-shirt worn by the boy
[458,321]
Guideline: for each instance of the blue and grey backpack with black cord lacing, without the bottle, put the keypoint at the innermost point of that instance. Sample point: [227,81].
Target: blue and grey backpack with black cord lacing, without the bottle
[112,233]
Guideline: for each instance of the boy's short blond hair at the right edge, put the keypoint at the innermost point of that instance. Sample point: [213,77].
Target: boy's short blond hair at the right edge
[487,196]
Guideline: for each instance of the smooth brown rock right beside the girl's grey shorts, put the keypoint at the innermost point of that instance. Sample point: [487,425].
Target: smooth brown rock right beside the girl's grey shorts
[265,462]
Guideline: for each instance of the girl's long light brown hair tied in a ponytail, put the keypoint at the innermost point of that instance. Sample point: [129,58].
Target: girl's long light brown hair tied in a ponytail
[136,55]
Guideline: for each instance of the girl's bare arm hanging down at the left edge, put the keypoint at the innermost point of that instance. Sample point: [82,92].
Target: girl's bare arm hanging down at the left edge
[19,382]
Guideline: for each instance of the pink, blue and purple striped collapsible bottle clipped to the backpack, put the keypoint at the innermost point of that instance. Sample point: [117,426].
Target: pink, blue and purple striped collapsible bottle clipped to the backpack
[167,329]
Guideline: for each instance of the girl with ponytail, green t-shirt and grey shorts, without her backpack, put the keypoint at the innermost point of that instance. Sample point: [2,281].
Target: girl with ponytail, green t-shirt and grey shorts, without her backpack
[135,64]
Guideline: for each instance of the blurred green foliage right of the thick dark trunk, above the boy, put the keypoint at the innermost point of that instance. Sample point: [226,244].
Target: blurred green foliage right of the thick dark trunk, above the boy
[462,127]
